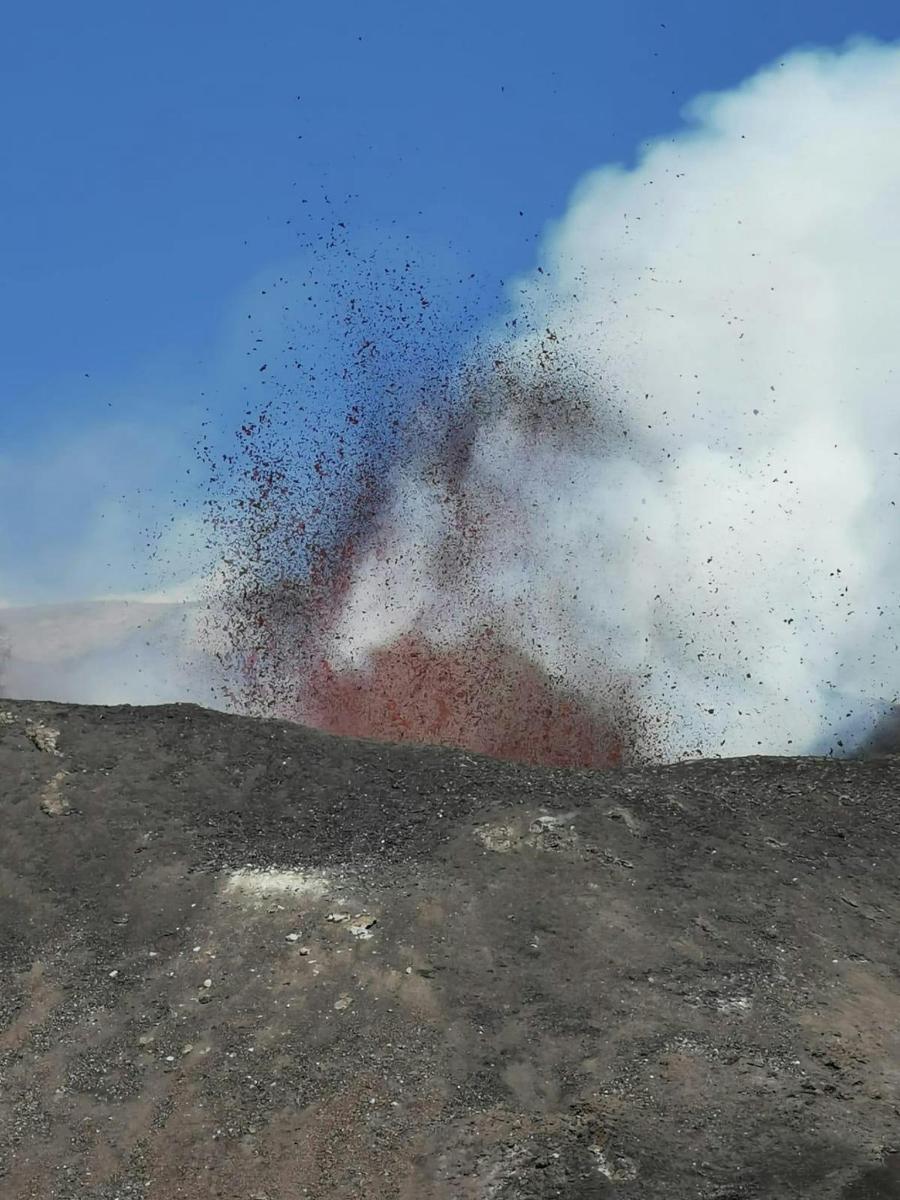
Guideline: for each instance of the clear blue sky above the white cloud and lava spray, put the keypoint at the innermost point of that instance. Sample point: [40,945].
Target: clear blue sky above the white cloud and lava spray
[161,161]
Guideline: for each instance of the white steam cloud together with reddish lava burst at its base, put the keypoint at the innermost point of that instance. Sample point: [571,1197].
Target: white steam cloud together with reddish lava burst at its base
[665,487]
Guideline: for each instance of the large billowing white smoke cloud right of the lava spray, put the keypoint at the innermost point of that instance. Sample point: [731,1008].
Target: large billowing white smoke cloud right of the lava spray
[727,536]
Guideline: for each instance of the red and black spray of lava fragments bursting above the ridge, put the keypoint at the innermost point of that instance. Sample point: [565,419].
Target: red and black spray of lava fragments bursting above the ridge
[299,559]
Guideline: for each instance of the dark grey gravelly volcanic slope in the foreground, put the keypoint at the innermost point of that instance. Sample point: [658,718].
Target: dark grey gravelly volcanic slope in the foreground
[250,962]
